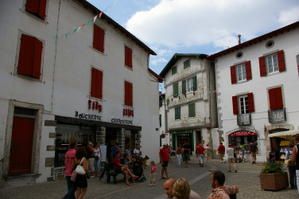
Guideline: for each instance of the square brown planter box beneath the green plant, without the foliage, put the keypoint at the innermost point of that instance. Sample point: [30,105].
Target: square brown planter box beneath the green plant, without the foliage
[274,181]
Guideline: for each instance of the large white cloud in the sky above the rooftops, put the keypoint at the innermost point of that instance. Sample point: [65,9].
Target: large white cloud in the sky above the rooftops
[175,23]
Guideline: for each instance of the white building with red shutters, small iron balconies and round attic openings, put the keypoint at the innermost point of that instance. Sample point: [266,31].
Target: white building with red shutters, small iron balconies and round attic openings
[257,83]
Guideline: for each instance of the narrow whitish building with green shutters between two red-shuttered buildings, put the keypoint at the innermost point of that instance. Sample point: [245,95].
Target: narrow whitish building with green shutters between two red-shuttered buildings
[190,100]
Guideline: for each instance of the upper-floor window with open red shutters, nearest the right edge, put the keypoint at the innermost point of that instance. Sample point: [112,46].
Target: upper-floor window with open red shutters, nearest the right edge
[272,63]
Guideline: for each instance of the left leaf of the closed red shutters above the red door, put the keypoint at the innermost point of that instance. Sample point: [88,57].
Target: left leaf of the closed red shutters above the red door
[26,55]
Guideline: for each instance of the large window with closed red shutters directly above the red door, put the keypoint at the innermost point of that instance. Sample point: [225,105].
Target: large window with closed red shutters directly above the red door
[30,57]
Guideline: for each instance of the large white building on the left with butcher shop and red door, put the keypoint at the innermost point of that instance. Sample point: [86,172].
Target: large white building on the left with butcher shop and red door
[94,84]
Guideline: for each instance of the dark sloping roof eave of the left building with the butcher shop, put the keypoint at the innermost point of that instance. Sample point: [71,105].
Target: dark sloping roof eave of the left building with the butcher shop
[116,25]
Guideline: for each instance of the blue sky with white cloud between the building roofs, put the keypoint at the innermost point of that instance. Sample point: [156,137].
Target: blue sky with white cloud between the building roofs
[197,26]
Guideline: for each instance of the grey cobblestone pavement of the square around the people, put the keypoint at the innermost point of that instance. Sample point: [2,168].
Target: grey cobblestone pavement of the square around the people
[247,178]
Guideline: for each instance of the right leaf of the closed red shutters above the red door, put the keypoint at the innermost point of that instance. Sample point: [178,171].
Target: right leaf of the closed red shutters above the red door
[36,68]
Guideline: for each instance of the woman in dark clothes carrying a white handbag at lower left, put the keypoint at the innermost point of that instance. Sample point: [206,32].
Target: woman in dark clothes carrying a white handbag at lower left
[81,169]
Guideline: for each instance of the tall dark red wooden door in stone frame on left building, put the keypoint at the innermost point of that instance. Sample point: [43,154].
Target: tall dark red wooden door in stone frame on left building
[21,146]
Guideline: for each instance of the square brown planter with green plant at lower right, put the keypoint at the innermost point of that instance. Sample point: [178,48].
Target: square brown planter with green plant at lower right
[273,177]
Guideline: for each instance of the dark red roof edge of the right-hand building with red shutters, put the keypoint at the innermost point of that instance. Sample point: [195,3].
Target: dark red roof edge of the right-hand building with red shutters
[256,40]
